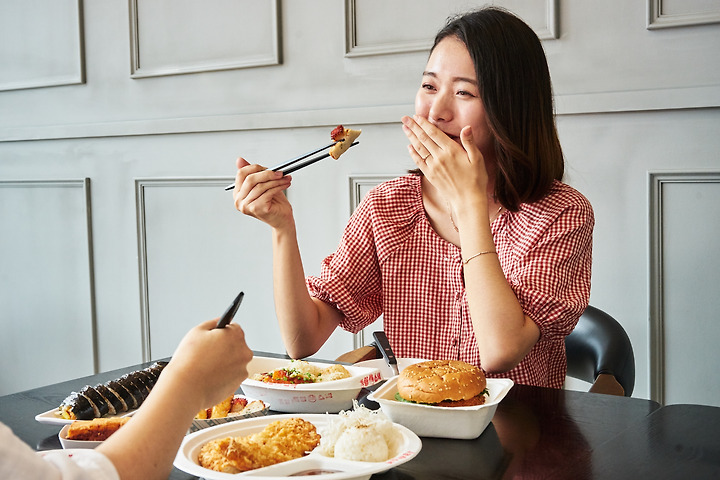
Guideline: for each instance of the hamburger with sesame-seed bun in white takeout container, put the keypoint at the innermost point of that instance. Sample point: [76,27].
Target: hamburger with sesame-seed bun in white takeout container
[442,383]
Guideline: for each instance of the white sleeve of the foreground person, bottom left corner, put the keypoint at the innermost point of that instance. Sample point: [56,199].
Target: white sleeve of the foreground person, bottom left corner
[18,460]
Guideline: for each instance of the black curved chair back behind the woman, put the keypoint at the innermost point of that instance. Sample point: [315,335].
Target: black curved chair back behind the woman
[600,345]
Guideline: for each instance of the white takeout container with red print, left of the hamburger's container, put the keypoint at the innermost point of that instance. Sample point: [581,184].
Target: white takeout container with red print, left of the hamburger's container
[321,397]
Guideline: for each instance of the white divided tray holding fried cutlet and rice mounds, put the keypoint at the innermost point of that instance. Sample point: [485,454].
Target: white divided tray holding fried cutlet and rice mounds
[187,456]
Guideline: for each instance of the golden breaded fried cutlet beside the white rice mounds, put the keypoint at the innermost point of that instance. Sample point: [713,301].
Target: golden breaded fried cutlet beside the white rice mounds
[280,441]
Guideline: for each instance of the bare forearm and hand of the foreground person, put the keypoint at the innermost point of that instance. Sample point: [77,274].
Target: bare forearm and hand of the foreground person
[208,365]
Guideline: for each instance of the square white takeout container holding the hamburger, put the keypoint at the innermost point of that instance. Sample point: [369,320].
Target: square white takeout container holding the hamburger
[442,422]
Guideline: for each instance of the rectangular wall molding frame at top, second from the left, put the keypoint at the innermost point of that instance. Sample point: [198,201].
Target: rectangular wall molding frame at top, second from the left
[138,68]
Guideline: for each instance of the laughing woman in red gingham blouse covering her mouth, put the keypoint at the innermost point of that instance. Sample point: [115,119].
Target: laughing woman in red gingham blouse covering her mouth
[481,254]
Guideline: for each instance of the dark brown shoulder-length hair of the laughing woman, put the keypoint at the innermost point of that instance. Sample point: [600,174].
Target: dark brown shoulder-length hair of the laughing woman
[516,91]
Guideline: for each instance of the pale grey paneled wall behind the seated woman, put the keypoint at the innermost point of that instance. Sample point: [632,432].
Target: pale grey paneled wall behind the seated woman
[120,122]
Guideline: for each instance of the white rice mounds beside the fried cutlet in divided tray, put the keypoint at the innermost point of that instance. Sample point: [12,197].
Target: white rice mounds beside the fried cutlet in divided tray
[361,435]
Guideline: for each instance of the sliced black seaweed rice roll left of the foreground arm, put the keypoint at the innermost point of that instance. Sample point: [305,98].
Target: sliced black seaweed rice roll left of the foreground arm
[111,398]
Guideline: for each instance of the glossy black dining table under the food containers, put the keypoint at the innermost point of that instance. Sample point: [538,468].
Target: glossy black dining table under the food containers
[536,433]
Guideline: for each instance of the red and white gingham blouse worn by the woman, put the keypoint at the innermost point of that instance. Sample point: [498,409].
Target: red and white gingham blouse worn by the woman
[390,261]
